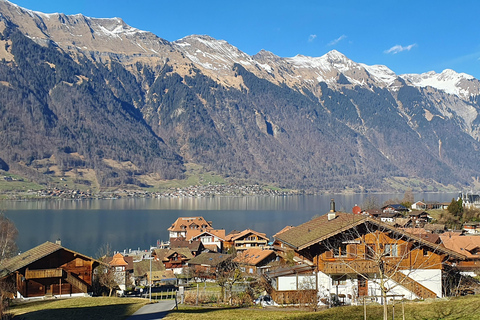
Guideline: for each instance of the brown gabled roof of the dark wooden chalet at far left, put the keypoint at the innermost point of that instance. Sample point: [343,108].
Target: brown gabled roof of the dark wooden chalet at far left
[34,254]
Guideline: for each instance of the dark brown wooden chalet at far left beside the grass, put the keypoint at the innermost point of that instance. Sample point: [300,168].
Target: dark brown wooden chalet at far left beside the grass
[49,270]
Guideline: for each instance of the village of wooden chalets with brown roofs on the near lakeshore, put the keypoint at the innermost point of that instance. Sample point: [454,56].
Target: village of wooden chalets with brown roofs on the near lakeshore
[339,258]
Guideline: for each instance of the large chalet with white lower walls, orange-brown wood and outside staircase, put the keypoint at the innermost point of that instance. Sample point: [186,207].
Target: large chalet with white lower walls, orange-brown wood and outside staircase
[357,256]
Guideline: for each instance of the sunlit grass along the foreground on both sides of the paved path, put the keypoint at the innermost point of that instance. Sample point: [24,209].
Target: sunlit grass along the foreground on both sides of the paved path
[120,308]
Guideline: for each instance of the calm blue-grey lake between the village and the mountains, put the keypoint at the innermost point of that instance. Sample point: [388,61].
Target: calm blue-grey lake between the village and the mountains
[86,225]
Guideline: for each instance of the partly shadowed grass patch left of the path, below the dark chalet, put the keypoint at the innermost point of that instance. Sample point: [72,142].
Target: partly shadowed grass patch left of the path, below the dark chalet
[100,308]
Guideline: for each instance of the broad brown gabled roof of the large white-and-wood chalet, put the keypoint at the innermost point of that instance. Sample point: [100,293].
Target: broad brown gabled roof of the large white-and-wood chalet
[319,229]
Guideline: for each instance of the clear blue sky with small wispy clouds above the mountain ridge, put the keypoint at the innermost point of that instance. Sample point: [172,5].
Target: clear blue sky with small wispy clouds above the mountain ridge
[406,36]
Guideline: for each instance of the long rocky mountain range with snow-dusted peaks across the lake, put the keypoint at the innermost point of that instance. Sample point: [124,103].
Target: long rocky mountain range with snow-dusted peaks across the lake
[98,95]
